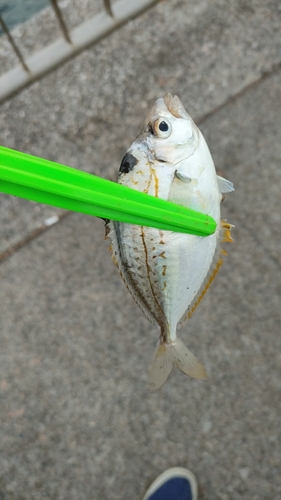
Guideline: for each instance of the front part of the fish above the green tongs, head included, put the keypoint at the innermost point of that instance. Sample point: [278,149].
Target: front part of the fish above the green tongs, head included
[171,160]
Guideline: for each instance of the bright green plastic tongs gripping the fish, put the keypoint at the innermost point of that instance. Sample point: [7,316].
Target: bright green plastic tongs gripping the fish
[47,182]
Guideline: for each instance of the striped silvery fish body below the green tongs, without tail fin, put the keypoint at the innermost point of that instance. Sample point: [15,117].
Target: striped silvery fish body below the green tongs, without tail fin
[163,270]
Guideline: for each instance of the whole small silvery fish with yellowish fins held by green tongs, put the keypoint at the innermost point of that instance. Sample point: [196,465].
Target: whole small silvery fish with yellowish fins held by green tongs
[168,273]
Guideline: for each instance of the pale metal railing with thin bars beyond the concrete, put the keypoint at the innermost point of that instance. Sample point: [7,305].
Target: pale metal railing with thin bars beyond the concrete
[71,43]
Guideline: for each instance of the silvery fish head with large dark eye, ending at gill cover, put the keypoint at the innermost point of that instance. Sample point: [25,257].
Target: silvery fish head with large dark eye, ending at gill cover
[169,135]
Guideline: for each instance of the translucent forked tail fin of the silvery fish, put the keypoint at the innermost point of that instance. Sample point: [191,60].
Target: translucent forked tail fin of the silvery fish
[166,356]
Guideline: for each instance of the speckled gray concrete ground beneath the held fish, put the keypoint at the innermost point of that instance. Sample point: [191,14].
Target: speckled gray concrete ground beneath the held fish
[77,418]
